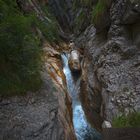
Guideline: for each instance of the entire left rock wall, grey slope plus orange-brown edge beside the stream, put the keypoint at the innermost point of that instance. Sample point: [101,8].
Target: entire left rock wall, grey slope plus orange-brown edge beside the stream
[44,115]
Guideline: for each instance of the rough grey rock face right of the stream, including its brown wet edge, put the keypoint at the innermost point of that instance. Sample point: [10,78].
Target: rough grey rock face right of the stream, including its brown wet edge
[111,71]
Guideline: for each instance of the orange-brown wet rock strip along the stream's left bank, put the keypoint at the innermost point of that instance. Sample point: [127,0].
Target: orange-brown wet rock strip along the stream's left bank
[54,67]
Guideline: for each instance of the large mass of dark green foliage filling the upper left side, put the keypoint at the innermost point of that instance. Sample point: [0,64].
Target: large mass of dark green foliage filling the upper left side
[20,52]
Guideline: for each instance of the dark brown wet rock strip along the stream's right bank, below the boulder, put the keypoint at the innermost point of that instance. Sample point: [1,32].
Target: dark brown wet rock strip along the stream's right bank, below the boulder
[90,96]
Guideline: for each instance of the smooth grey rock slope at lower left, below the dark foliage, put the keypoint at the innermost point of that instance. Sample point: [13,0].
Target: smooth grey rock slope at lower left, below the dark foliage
[31,117]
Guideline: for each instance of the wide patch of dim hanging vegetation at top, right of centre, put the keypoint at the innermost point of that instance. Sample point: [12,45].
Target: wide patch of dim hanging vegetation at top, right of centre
[90,11]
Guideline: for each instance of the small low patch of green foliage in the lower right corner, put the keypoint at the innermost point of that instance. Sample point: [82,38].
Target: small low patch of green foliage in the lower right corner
[131,120]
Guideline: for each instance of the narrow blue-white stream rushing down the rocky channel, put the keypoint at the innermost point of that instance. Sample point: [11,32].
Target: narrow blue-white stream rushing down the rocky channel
[82,128]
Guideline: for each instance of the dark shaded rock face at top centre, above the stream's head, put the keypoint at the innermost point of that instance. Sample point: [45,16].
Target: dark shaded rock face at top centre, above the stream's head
[71,14]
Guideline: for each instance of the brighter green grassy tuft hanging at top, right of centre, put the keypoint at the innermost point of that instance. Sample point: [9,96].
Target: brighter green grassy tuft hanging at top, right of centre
[99,10]
